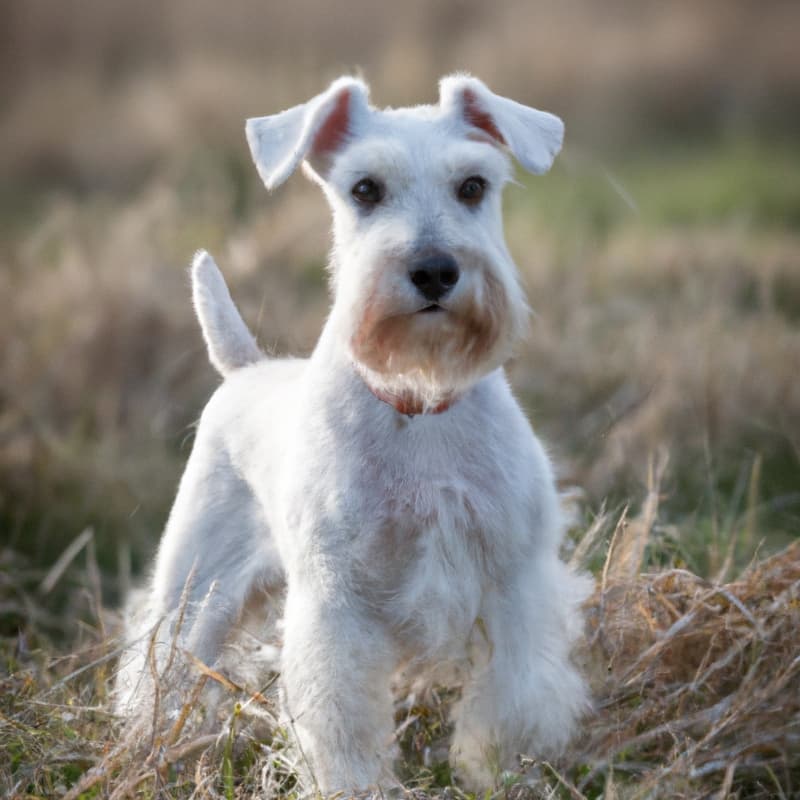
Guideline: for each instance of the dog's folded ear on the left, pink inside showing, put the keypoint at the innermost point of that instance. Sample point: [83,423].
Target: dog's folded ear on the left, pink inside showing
[313,131]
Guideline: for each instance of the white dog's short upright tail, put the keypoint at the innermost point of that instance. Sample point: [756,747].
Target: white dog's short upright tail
[230,344]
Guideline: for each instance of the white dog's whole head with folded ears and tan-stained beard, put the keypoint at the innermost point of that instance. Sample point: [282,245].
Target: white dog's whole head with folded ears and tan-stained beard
[427,298]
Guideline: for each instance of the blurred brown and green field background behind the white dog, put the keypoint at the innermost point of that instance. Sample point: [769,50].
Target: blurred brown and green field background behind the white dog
[661,254]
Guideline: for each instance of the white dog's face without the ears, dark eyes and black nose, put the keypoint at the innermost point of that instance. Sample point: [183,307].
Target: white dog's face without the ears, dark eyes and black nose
[426,288]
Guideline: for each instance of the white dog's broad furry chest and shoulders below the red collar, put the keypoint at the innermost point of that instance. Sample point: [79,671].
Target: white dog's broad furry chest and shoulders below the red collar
[421,517]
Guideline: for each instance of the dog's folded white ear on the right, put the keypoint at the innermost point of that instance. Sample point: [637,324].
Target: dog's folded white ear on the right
[533,137]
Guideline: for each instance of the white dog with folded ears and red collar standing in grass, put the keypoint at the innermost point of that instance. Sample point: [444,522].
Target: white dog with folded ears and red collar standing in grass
[390,482]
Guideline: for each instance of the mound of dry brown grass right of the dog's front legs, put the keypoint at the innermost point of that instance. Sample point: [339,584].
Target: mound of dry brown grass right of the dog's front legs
[702,684]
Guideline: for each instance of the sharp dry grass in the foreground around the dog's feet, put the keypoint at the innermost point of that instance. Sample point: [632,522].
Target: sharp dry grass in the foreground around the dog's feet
[697,685]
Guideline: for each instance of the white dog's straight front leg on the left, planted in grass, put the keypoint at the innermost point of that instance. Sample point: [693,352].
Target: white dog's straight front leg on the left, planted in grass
[337,665]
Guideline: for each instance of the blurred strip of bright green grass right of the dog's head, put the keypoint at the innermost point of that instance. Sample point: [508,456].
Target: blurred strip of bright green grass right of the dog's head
[737,184]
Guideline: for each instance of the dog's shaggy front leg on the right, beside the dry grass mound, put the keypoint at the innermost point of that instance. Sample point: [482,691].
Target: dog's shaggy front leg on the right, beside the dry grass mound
[526,697]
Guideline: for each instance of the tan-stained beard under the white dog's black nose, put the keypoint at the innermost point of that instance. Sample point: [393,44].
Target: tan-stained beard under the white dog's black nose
[427,358]
